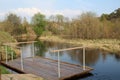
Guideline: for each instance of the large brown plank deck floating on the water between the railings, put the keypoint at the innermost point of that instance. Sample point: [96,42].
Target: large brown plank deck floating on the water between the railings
[48,68]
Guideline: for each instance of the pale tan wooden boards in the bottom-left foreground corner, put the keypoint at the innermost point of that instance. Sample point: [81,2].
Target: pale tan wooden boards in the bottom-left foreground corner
[20,77]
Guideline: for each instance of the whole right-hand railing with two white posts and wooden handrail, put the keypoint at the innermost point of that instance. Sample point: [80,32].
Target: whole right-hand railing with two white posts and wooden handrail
[61,50]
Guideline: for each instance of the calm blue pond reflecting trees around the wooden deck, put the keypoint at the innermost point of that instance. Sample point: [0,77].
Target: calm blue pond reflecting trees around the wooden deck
[106,65]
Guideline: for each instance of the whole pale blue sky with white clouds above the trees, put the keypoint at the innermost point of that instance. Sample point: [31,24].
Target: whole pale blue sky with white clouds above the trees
[68,8]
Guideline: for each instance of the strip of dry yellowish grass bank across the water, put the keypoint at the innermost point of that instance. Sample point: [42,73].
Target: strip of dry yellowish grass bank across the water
[111,45]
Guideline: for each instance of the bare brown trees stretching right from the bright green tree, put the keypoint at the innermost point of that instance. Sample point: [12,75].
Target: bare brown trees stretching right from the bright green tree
[87,26]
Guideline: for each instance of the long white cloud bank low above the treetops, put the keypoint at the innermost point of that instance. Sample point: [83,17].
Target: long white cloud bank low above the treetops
[29,12]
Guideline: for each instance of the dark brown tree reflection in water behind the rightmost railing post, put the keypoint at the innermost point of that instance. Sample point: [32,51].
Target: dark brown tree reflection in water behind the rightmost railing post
[91,56]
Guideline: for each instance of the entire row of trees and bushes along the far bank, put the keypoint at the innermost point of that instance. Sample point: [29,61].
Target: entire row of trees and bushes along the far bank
[85,26]
